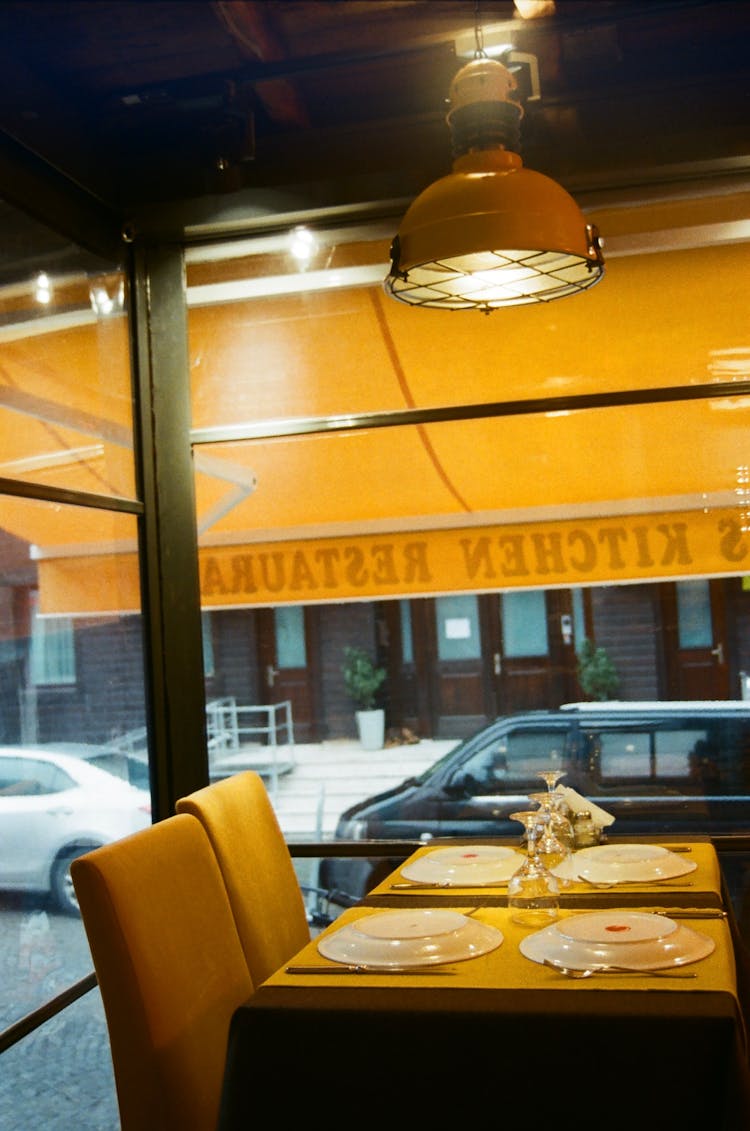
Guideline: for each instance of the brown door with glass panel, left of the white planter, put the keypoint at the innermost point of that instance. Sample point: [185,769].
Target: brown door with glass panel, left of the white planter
[287,647]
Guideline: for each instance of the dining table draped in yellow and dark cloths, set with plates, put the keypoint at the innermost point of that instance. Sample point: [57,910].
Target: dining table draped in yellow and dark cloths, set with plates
[502,1037]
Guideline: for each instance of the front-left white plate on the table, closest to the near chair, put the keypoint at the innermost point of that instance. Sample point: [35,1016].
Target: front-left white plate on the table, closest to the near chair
[420,937]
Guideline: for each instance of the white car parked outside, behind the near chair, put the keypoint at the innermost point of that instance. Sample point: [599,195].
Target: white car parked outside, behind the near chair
[56,807]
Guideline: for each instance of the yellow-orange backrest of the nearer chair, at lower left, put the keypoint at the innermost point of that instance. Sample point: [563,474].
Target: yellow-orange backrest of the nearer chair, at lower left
[170,969]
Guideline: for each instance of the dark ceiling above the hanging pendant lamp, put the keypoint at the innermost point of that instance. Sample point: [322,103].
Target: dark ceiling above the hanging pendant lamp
[153,102]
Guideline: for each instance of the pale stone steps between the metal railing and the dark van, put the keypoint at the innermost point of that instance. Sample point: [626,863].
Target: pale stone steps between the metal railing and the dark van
[329,778]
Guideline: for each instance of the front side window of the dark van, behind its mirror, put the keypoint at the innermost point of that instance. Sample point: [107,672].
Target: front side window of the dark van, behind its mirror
[514,757]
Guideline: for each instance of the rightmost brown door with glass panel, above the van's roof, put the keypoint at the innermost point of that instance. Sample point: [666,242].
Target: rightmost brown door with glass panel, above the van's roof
[695,636]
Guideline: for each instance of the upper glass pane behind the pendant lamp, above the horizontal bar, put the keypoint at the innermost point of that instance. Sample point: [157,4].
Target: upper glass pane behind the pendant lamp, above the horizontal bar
[333,309]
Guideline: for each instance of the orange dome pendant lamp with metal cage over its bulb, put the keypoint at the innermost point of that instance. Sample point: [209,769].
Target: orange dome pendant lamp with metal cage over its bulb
[492,235]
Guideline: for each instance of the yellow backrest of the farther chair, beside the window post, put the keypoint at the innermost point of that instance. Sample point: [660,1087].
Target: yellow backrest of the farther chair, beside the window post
[255,860]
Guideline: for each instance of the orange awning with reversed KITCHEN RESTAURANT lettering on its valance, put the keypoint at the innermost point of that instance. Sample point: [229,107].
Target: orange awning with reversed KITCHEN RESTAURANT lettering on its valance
[540,498]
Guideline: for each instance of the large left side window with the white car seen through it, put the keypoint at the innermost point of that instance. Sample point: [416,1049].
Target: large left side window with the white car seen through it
[74,765]
